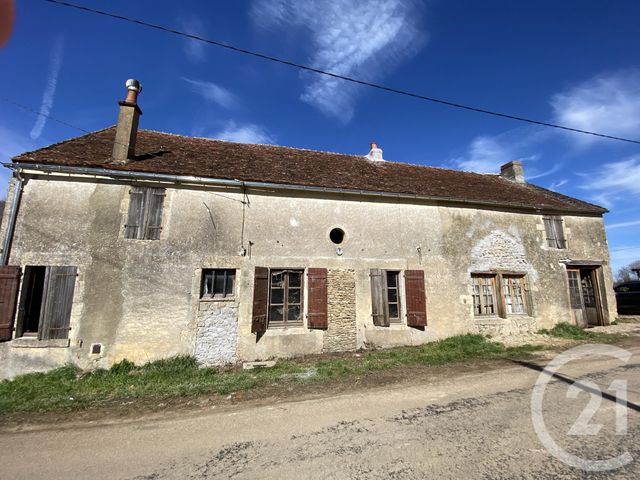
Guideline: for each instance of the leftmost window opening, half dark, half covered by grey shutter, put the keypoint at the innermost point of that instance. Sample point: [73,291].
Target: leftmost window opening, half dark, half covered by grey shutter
[46,301]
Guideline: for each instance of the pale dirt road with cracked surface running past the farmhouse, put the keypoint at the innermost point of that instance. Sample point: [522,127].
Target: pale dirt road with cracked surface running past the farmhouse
[468,425]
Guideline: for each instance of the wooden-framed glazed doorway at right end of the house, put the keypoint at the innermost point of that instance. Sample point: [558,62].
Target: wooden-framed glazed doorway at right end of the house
[585,297]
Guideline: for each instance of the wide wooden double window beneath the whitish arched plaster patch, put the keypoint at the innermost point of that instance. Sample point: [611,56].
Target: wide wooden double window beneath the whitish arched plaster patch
[500,294]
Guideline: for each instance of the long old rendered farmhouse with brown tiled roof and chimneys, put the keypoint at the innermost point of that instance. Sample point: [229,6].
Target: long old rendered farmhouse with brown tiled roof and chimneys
[136,244]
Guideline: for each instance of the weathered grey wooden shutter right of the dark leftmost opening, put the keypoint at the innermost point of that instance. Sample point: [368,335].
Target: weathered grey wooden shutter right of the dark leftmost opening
[59,284]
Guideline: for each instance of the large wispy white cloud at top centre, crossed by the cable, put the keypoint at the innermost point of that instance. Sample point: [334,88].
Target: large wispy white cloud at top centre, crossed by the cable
[349,37]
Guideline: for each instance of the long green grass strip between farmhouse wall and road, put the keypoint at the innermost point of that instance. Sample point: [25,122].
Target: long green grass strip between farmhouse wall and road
[68,388]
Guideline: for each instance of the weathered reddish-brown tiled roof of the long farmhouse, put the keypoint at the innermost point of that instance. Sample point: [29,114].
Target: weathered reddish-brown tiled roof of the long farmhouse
[159,152]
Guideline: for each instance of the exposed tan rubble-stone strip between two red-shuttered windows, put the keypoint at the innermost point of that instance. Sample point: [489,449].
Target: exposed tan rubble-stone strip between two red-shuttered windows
[341,308]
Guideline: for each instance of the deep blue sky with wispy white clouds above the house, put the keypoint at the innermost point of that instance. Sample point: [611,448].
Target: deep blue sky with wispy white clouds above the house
[570,62]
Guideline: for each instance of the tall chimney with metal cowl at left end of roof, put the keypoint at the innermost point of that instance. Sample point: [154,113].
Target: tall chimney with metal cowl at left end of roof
[124,146]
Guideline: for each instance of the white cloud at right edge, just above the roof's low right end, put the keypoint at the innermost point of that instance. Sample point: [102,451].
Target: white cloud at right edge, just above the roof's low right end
[614,181]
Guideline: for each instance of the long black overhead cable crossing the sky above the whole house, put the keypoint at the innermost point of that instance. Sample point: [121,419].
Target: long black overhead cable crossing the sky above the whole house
[334,75]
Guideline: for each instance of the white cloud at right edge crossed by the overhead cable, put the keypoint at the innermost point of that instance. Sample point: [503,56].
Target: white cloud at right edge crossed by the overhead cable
[608,104]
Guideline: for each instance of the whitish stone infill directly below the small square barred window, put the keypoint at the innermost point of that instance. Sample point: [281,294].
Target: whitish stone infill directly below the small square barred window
[217,333]
